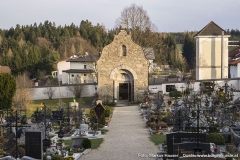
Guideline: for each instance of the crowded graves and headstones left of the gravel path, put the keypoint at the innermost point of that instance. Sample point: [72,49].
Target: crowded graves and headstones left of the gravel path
[65,133]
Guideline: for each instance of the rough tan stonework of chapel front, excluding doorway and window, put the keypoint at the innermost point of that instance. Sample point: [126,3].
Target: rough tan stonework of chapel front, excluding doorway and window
[113,60]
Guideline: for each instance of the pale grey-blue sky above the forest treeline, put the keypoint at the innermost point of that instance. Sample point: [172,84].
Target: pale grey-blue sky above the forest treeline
[167,15]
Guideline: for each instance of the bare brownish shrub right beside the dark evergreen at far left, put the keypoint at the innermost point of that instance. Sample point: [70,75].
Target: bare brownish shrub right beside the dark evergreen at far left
[24,92]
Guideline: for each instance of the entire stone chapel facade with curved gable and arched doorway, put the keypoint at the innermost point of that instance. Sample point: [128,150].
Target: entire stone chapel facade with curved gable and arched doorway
[122,69]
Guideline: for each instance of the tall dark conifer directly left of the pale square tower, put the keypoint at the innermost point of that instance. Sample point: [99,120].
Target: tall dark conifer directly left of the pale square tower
[189,50]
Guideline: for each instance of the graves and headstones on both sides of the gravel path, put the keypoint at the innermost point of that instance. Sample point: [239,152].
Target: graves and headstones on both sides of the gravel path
[194,119]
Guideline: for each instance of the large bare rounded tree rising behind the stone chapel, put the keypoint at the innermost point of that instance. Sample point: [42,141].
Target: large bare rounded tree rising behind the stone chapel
[137,21]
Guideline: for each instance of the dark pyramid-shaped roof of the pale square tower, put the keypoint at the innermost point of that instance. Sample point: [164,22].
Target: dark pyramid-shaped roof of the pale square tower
[211,29]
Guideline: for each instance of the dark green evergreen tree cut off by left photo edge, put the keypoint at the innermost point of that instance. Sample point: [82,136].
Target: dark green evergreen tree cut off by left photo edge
[7,90]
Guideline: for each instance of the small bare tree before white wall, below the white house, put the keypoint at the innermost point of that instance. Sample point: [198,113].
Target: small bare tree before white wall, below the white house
[77,88]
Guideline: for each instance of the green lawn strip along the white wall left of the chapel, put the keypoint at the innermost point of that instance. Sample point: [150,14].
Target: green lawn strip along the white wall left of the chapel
[53,104]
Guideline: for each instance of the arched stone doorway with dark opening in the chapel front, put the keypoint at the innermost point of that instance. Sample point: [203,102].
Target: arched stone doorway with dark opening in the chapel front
[123,88]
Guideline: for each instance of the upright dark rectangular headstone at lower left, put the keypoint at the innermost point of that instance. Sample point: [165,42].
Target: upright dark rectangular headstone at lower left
[33,144]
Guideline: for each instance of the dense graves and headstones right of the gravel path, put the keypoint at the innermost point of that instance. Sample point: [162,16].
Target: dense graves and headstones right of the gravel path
[196,119]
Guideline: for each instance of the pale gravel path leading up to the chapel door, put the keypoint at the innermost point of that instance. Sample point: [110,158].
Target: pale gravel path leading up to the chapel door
[127,138]
